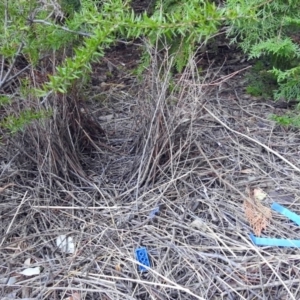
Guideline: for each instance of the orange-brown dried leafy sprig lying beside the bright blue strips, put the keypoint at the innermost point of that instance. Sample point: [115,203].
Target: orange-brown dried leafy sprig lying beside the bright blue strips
[258,216]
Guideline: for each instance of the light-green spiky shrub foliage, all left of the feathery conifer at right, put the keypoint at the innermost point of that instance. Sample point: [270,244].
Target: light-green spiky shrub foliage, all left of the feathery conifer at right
[84,29]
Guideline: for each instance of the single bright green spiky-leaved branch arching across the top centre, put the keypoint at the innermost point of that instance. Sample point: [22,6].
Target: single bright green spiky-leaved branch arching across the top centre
[189,22]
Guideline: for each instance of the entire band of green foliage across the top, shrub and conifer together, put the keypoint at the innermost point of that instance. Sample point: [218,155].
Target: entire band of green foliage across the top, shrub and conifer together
[89,27]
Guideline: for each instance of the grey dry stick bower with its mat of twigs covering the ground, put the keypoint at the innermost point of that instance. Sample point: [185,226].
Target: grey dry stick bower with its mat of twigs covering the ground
[192,154]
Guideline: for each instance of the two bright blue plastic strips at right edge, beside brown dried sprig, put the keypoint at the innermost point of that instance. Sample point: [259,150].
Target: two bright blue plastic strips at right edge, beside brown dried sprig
[279,242]
